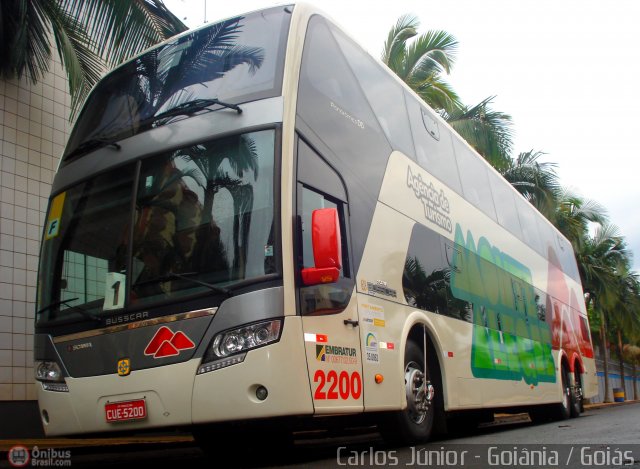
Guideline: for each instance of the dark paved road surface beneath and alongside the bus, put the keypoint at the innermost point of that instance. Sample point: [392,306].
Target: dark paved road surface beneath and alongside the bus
[606,437]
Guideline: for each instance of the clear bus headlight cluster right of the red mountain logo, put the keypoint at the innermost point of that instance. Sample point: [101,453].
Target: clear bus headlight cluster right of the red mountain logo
[230,347]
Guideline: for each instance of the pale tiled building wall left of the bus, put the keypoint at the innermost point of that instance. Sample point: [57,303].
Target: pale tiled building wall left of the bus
[33,130]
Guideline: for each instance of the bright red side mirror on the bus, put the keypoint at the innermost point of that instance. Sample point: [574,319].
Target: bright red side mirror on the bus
[327,248]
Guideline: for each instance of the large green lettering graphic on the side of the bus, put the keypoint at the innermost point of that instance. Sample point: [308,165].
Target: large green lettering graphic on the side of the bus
[511,339]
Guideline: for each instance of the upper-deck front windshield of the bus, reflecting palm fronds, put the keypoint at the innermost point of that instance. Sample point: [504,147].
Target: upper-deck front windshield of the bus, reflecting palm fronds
[234,61]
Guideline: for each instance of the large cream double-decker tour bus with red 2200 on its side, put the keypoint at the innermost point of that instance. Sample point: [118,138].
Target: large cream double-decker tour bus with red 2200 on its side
[256,222]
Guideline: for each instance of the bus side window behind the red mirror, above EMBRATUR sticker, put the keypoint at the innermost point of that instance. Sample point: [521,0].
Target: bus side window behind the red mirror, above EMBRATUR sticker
[327,298]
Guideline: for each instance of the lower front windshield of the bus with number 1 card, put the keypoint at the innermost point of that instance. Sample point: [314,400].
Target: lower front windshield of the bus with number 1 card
[181,223]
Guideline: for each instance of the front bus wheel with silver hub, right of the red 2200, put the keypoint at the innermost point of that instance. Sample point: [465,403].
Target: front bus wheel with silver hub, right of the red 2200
[415,423]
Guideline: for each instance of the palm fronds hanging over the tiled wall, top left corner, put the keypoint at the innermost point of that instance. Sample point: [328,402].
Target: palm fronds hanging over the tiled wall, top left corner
[122,29]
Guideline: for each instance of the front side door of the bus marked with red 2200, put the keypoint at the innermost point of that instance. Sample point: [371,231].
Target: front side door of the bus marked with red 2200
[326,293]
